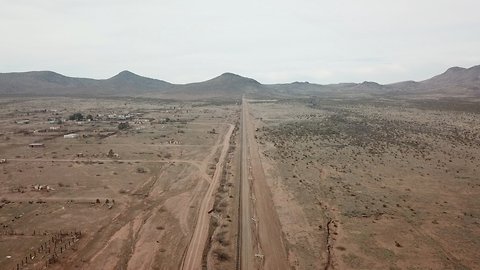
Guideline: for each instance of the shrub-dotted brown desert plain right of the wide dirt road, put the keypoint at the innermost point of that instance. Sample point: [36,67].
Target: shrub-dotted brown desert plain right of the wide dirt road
[373,184]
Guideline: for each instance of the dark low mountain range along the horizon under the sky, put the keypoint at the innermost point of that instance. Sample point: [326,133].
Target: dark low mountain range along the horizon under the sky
[456,81]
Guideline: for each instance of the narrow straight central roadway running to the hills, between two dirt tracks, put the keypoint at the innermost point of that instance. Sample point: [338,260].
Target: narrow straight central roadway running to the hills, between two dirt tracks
[245,231]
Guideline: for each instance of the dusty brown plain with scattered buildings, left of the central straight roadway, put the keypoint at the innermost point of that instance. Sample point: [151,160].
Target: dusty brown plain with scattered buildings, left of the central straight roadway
[114,197]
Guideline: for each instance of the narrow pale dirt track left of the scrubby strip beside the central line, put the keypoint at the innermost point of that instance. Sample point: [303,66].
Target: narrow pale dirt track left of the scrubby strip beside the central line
[193,255]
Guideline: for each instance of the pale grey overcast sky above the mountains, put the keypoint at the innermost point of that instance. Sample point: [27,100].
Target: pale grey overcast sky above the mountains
[269,40]
